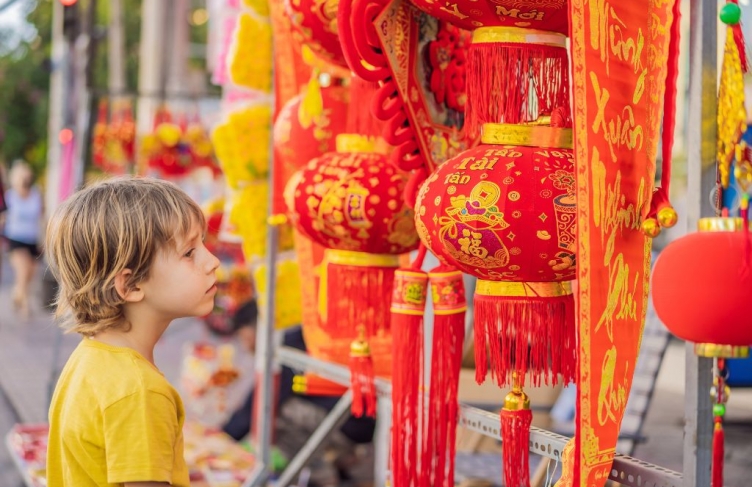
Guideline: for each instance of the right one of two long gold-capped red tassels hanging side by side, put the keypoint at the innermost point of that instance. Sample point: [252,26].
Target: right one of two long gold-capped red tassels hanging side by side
[449,302]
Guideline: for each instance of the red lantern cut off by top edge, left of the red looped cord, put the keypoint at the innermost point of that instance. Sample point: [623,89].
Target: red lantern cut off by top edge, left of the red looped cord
[314,24]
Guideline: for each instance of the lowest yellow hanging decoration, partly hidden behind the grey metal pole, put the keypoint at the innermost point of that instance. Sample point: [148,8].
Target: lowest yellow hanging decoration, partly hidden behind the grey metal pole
[288,305]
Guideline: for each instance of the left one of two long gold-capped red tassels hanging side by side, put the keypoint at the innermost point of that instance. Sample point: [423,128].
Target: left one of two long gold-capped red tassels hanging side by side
[408,304]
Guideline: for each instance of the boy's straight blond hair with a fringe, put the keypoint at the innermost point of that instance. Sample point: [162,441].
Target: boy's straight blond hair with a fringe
[100,231]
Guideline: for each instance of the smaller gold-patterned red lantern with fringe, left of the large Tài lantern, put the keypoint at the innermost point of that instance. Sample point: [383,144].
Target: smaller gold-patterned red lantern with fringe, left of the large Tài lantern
[350,201]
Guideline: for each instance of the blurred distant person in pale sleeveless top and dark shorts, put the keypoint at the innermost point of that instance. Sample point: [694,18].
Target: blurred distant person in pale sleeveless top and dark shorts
[21,229]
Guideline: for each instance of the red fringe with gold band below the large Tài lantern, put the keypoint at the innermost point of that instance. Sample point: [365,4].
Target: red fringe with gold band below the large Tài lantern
[525,334]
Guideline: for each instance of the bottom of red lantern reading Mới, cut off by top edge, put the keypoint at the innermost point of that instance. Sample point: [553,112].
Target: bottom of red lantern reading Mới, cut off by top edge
[550,15]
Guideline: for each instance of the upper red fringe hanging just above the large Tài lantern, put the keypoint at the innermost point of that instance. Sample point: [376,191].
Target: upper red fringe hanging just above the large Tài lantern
[500,77]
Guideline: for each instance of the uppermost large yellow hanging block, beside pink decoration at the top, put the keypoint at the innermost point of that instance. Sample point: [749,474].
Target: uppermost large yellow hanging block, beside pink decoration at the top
[251,54]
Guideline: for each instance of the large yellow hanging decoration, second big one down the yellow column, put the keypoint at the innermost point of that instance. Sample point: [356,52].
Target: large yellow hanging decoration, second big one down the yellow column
[241,143]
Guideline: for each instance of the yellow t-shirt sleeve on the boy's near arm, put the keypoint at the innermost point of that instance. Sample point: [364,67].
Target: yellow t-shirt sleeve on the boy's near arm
[141,432]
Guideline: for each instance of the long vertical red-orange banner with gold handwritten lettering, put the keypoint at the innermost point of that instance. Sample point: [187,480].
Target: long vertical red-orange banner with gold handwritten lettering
[619,60]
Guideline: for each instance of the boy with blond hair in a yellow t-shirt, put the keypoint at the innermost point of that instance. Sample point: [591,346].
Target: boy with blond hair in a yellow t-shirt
[129,257]
